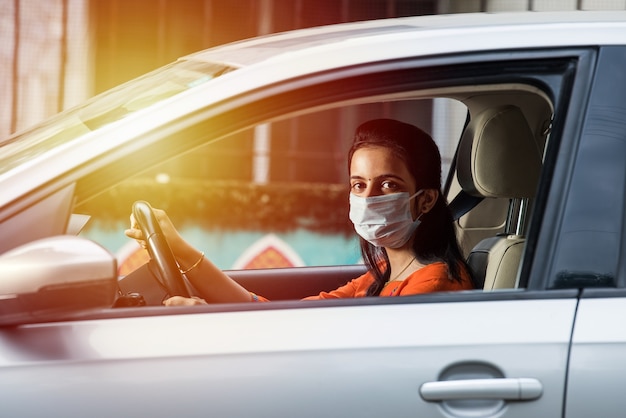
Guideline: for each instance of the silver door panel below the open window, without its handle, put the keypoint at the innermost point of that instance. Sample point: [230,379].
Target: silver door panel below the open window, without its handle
[233,363]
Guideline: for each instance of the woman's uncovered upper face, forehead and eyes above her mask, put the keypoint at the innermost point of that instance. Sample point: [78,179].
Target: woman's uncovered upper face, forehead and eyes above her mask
[375,171]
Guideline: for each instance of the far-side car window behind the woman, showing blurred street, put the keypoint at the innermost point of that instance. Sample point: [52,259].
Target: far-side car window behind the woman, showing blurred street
[274,195]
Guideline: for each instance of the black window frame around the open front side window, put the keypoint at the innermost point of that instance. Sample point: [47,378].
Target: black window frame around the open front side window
[533,67]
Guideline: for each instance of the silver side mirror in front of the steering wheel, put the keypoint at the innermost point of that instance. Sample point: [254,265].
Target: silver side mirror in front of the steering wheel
[53,277]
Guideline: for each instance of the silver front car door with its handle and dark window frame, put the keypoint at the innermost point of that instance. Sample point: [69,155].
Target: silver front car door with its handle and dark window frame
[464,354]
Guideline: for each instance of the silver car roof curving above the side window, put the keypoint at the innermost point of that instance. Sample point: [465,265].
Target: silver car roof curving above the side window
[441,33]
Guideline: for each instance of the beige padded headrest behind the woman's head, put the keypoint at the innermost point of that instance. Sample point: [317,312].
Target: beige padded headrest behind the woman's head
[498,155]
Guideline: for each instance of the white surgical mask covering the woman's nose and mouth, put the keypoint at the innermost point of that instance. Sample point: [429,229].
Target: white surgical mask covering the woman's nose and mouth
[385,220]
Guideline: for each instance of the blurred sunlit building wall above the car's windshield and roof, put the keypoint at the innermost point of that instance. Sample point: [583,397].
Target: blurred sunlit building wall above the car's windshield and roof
[57,53]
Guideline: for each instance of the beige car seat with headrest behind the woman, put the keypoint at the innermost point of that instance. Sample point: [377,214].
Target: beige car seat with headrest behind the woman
[498,158]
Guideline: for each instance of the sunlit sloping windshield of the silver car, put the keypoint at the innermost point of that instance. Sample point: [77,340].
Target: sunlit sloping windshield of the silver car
[106,108]
